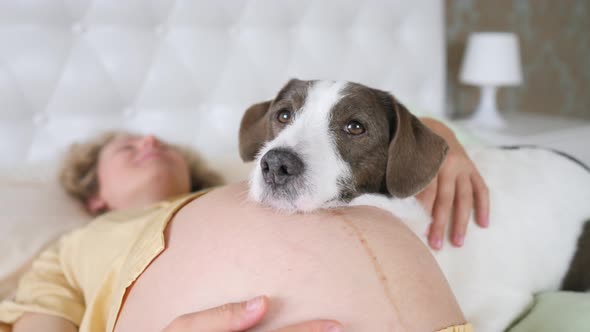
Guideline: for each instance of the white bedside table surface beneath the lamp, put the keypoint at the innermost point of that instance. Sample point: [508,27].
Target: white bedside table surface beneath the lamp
[571,136]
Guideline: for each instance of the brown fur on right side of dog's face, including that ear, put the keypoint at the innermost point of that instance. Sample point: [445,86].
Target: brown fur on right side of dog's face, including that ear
[397,155]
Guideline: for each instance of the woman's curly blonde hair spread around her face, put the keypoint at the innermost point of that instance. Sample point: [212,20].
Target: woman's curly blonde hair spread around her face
[79,177]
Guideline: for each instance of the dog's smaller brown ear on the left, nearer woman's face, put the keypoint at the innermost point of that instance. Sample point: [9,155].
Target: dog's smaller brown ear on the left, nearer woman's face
[253,130]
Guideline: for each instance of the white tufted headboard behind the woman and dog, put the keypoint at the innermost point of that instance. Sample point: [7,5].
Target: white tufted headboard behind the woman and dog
[187,69]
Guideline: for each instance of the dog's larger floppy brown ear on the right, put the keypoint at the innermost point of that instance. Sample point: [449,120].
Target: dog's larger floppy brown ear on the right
[415,154]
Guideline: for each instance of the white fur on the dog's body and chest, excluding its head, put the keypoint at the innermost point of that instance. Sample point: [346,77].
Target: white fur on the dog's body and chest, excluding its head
[539,201]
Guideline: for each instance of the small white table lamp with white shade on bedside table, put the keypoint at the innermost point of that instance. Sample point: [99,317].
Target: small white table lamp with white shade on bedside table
[492,59]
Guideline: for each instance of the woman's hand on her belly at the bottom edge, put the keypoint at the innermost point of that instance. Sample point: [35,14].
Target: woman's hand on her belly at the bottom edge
[234,317]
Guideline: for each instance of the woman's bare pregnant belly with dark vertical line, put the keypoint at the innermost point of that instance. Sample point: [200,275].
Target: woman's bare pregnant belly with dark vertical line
[357,265]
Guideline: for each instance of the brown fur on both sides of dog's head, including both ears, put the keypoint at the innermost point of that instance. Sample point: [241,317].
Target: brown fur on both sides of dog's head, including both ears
[395,155]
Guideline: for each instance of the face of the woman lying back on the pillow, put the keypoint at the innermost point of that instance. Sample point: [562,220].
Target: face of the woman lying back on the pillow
[138,170]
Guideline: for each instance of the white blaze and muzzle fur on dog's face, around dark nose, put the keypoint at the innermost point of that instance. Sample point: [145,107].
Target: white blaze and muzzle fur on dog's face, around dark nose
[310,137]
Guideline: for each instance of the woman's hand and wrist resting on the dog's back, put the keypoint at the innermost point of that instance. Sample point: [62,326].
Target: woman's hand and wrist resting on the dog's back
[458,186]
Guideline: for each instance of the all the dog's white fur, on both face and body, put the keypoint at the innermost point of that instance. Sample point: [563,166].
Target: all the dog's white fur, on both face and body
[539,201]
